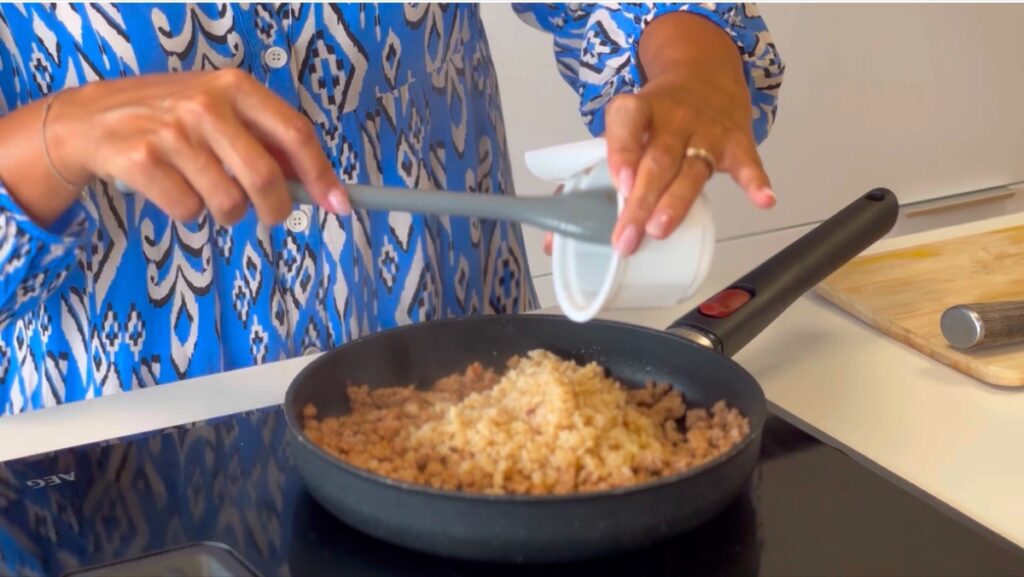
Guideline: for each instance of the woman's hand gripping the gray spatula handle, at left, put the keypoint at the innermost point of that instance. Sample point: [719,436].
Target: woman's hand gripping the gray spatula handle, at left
[189,142]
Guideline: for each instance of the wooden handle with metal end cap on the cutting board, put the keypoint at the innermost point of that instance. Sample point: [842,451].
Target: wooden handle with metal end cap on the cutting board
[984,324]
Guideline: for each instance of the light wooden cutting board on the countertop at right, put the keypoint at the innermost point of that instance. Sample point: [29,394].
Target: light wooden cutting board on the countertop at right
[904,294]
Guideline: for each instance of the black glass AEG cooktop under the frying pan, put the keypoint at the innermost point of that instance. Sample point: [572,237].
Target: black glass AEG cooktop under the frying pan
[220,499]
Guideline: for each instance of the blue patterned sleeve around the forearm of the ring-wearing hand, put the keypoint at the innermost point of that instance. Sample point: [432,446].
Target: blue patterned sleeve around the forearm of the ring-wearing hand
[596,51]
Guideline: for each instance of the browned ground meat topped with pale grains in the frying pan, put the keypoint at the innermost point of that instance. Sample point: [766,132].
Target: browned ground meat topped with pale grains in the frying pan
[546,427]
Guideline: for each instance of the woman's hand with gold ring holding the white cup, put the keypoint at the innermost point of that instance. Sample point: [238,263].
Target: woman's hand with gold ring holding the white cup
[692,117]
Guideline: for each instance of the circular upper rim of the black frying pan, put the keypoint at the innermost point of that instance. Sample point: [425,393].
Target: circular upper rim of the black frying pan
[297,434]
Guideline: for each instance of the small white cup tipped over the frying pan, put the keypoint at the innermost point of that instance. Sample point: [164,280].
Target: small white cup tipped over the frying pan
[590,278]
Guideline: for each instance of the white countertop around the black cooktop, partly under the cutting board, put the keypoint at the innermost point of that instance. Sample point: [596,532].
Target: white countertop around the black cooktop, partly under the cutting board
[941,433]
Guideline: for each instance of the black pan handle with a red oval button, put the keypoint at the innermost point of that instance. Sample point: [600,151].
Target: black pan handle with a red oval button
[733,318]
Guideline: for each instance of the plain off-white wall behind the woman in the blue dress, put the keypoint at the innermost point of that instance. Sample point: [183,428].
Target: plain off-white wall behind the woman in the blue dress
[927,100]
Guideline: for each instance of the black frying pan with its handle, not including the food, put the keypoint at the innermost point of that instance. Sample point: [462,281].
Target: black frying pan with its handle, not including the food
[694,355]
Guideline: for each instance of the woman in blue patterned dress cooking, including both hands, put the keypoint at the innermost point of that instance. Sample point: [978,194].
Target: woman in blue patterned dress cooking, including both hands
[205,110]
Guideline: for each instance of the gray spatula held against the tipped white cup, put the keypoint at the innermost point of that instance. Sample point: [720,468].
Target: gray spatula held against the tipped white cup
[587,217]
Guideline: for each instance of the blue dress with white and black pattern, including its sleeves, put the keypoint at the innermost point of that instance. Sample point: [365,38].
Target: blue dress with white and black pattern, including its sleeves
[116,297]
